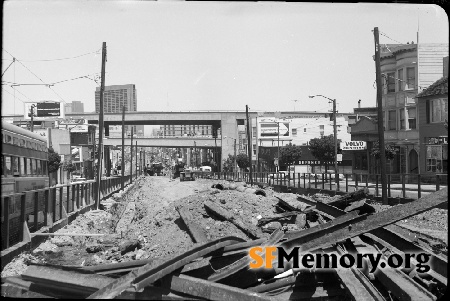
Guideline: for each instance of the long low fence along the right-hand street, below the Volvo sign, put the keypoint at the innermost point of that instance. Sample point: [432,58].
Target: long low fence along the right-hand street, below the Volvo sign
[412,186]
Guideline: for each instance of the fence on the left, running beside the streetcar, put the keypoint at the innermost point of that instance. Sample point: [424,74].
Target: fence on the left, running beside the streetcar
[36,209]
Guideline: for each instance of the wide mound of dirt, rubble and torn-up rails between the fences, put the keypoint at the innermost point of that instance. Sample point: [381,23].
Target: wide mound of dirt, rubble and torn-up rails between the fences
[190,240]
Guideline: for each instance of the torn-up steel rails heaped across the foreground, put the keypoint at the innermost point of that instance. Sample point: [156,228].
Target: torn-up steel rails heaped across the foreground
[220,270]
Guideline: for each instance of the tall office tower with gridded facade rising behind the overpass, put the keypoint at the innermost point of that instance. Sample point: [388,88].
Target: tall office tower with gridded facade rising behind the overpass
[114,98]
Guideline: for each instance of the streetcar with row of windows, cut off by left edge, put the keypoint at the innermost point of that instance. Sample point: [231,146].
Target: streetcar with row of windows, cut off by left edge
[24,160]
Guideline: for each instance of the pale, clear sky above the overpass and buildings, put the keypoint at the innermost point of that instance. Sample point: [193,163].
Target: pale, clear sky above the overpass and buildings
[188,56]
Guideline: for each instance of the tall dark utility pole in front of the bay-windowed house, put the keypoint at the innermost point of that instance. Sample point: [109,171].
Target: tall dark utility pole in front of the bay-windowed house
[380,119]
